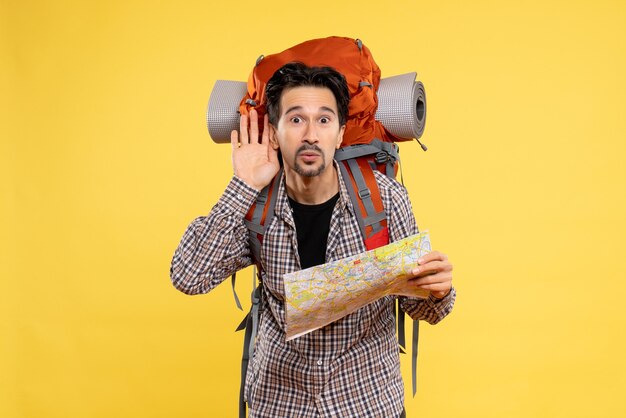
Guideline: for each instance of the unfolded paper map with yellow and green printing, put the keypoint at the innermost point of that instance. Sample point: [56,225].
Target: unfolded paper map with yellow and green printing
[319,295]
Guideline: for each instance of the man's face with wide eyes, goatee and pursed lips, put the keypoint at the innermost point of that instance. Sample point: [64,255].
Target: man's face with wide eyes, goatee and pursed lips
[308,130]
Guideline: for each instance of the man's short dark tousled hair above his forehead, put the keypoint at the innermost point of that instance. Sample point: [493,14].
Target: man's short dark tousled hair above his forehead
[297,74]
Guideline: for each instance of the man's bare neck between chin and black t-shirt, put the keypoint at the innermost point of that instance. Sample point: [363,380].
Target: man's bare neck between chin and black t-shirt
[312,190]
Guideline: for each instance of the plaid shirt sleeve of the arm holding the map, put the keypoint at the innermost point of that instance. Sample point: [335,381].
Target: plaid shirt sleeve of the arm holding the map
[401,225]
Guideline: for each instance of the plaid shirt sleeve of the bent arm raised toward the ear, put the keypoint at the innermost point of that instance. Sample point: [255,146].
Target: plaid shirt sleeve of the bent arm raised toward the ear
[215,246]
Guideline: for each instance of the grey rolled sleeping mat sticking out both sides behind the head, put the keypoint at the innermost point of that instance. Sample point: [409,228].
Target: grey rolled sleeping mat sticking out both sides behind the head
[401,107]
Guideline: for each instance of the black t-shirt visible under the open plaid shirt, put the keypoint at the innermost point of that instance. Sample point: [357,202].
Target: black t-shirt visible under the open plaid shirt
[312,227]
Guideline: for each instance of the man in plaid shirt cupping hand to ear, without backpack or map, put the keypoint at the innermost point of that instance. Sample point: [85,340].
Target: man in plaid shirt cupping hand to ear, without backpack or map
[351,367]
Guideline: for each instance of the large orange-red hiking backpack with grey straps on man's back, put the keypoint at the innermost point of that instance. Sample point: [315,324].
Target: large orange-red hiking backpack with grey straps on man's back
[367,146]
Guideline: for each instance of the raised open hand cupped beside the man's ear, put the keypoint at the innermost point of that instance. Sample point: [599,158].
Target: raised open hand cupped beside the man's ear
[254,162]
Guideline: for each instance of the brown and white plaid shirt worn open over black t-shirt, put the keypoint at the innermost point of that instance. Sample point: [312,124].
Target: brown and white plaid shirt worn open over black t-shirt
[349,368]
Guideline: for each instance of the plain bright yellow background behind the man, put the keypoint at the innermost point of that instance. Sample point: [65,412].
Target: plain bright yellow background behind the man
[105,159]
